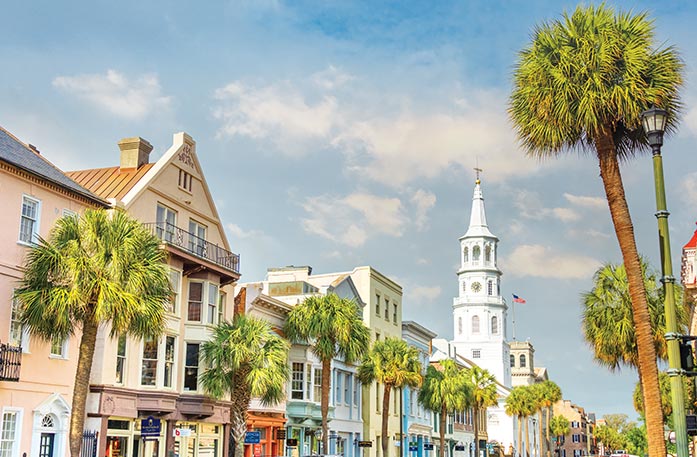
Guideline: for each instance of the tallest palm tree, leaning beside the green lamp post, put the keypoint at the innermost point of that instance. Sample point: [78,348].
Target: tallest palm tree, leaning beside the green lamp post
[582,83]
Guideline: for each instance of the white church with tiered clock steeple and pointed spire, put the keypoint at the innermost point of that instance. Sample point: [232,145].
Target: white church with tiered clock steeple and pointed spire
[480,313]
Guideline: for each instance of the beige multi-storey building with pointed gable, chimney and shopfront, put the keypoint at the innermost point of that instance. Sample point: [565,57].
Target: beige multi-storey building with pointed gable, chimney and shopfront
[133,380]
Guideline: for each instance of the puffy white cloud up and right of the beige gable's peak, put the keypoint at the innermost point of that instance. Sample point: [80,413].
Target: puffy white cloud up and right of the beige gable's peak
[278,113]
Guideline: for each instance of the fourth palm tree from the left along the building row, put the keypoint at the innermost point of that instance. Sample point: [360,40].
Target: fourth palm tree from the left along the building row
[394,364]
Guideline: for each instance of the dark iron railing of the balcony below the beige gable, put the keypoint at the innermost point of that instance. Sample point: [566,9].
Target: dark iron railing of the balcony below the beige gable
[177,236]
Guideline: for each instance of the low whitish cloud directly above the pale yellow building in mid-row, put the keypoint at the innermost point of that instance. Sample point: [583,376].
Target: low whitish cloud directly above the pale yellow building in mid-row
[352,219]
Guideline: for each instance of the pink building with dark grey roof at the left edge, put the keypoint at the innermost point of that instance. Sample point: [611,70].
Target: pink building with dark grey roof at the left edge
[36,377]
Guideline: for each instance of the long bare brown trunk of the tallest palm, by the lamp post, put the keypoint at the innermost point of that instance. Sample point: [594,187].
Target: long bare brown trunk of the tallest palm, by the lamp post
[621,219]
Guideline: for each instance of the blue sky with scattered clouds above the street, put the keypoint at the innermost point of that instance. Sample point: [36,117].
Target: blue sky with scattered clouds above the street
[343,133]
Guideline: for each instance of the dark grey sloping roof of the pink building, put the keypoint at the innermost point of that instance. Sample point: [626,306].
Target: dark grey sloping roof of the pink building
[20,155]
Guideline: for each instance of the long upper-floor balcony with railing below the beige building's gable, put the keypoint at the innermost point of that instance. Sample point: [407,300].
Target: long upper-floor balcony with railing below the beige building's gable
[197,253]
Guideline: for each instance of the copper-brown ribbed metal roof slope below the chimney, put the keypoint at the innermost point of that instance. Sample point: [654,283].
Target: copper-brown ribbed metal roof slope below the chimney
[110,182]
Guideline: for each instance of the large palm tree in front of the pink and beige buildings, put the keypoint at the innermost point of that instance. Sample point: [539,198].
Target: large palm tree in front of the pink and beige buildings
[100,268]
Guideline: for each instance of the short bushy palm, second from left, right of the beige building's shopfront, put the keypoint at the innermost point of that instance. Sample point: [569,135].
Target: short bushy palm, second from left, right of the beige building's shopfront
[245,359]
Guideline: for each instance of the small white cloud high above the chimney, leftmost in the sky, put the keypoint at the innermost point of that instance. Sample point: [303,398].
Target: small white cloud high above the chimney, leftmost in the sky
[116,94]
